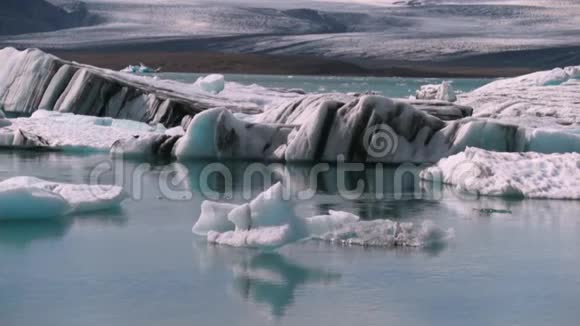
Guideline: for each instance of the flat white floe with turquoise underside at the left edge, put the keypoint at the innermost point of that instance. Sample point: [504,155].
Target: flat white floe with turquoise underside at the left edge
[33,198]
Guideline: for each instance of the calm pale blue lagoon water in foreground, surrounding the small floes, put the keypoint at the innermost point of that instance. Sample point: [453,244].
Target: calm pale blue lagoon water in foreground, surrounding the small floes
[141,265]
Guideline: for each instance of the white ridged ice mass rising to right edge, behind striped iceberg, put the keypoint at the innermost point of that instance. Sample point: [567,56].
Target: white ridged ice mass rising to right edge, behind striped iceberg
[541,99]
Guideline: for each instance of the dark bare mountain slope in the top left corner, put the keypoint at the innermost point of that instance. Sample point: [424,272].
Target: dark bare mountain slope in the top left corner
[32,16]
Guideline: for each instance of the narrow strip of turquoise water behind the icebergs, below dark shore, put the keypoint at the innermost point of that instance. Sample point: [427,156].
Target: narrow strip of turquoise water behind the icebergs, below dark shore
[391,87]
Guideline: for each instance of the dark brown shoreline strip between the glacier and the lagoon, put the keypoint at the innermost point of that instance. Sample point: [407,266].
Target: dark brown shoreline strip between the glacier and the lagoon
[207,62]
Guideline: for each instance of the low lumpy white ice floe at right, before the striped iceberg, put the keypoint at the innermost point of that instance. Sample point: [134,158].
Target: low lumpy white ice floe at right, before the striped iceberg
[521,175]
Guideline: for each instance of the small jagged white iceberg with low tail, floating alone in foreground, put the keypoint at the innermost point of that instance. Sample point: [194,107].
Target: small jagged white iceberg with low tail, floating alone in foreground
[269,222]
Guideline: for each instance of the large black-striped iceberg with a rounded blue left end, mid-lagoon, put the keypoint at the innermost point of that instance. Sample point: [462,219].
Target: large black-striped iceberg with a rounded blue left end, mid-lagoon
[366,129]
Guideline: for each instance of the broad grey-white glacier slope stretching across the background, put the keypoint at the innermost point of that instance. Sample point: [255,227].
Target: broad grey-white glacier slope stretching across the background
[374,34]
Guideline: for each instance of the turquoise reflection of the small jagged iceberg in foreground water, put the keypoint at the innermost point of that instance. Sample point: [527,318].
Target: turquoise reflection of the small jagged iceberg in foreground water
[265,279]
